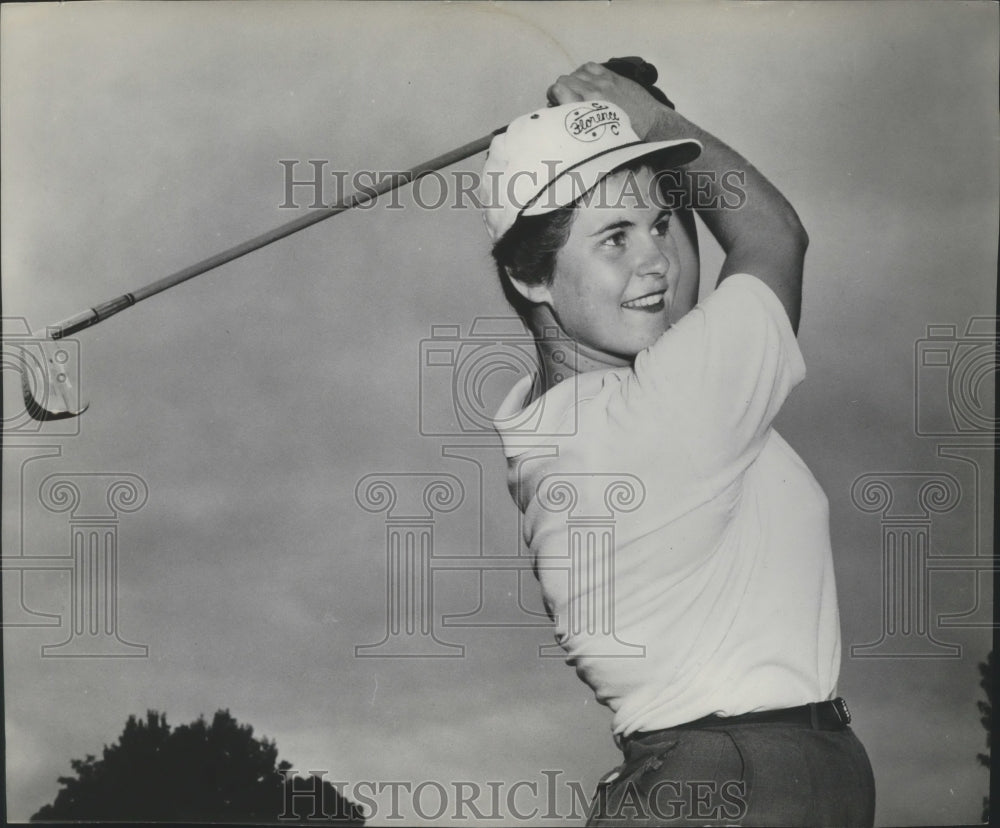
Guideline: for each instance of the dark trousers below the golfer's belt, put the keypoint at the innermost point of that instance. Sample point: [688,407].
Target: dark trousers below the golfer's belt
[772,774]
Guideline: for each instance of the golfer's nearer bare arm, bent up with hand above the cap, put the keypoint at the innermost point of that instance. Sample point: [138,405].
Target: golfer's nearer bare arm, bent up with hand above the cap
[763,236]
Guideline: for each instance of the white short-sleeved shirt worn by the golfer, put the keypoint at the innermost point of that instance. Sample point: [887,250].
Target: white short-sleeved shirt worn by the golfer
[715,594]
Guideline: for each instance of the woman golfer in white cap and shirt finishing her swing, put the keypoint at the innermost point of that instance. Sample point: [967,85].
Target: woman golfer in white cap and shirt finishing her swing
[710,628]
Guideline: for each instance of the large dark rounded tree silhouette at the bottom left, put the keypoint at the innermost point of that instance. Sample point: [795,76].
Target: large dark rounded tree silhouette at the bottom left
[199,772]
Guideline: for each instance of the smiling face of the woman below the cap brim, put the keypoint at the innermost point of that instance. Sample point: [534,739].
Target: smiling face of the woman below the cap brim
[615,282]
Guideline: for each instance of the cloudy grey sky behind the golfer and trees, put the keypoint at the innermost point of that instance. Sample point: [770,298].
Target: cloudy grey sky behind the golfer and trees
[139,138]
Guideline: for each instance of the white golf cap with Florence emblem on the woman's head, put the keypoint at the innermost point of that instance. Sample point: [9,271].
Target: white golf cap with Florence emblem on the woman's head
[551,157]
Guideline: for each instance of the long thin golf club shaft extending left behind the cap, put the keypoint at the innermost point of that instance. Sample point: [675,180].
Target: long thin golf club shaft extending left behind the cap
[100,312]
